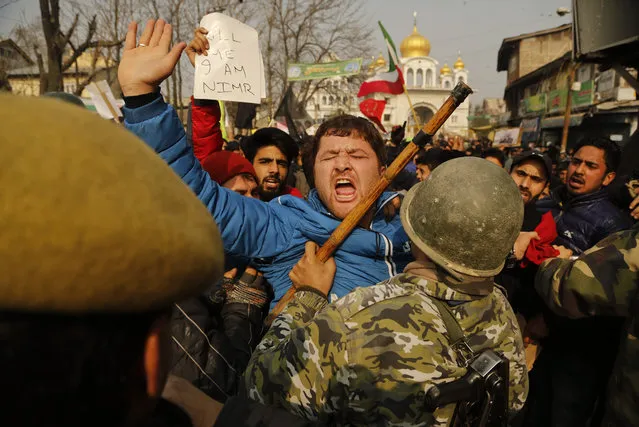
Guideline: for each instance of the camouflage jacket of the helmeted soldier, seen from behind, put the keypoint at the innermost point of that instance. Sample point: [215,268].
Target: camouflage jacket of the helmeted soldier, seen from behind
[370,357]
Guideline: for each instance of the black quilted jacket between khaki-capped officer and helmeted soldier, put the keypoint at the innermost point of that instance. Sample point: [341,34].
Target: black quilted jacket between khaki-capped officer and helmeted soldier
[212,343]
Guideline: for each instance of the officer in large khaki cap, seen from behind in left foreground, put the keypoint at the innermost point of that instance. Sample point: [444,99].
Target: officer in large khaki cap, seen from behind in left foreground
[98,239]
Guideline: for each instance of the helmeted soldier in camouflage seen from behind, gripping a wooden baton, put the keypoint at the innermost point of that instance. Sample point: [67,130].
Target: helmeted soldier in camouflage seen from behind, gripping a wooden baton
[370,357]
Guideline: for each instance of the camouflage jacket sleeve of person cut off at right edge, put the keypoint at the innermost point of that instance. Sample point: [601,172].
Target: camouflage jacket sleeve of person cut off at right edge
[603,281]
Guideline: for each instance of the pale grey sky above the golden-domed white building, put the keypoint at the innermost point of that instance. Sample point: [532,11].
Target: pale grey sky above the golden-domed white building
[475,28]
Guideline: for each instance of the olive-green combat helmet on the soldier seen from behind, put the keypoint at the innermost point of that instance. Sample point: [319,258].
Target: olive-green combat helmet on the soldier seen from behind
[465,217]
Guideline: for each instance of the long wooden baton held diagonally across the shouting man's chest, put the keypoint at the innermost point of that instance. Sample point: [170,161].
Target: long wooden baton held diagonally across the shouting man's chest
[457,96]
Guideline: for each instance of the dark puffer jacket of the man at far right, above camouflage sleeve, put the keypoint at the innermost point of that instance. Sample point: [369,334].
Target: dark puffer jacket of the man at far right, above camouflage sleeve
[582,221]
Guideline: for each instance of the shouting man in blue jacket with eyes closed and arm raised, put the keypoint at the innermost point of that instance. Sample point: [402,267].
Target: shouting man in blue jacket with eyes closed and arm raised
[348,159]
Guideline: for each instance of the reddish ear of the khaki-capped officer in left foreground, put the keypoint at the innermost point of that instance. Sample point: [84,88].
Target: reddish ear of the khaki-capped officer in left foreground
[156,355]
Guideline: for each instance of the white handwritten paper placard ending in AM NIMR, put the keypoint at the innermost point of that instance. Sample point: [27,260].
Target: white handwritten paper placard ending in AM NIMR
[233,69]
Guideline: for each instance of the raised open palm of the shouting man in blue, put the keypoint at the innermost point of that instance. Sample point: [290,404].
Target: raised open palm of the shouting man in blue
[145,65]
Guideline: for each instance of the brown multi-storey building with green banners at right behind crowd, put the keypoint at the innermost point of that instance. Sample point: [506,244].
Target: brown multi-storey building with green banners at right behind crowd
[539,67]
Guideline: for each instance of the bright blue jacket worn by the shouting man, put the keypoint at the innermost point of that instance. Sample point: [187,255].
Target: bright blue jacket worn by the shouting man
[274,234]
